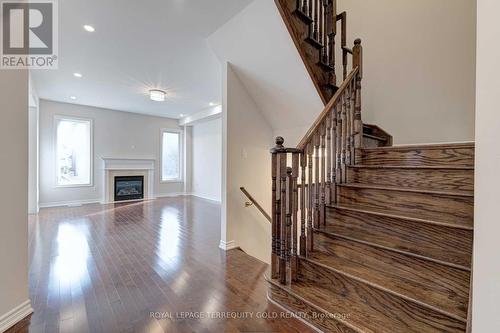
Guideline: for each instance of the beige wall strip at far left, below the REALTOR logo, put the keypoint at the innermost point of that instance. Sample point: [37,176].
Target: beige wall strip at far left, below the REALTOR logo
[13,200]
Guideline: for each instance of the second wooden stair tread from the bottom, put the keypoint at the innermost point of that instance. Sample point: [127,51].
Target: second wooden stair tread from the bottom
[435,285]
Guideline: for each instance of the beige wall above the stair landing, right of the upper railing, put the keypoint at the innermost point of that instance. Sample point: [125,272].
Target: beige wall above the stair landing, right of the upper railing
[419,66]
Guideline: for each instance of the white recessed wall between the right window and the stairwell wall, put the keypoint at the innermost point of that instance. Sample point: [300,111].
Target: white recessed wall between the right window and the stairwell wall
[207,159]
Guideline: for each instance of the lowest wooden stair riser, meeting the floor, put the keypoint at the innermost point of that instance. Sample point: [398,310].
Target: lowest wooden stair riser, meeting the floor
[313,316]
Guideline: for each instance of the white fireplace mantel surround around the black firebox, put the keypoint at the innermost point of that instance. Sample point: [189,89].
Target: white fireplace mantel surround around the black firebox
[114,167]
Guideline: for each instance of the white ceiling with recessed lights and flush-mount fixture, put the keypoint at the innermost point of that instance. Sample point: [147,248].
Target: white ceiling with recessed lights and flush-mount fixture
[137,46]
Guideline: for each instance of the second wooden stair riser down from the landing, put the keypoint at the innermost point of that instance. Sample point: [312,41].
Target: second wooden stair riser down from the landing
[433,179]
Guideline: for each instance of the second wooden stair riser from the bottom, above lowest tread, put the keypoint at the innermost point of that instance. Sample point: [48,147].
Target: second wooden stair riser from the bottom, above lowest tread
[410,314]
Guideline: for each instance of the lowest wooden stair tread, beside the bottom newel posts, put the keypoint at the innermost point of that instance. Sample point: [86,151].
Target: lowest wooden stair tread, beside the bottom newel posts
[355,304]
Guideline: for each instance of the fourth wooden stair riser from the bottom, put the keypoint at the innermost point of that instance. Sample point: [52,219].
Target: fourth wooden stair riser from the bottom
[441,243]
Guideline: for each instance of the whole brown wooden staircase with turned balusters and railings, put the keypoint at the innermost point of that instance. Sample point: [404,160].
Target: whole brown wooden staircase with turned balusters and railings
[367,237]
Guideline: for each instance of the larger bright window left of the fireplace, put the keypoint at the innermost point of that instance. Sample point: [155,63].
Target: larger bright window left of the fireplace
[73,152]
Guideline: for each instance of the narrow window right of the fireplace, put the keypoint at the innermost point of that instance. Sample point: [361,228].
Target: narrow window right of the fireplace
[170,156]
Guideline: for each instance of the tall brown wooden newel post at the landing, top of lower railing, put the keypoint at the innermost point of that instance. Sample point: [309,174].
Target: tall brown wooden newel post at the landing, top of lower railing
[357,52]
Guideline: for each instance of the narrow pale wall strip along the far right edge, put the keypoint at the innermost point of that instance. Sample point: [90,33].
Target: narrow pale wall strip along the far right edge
[486,266]
